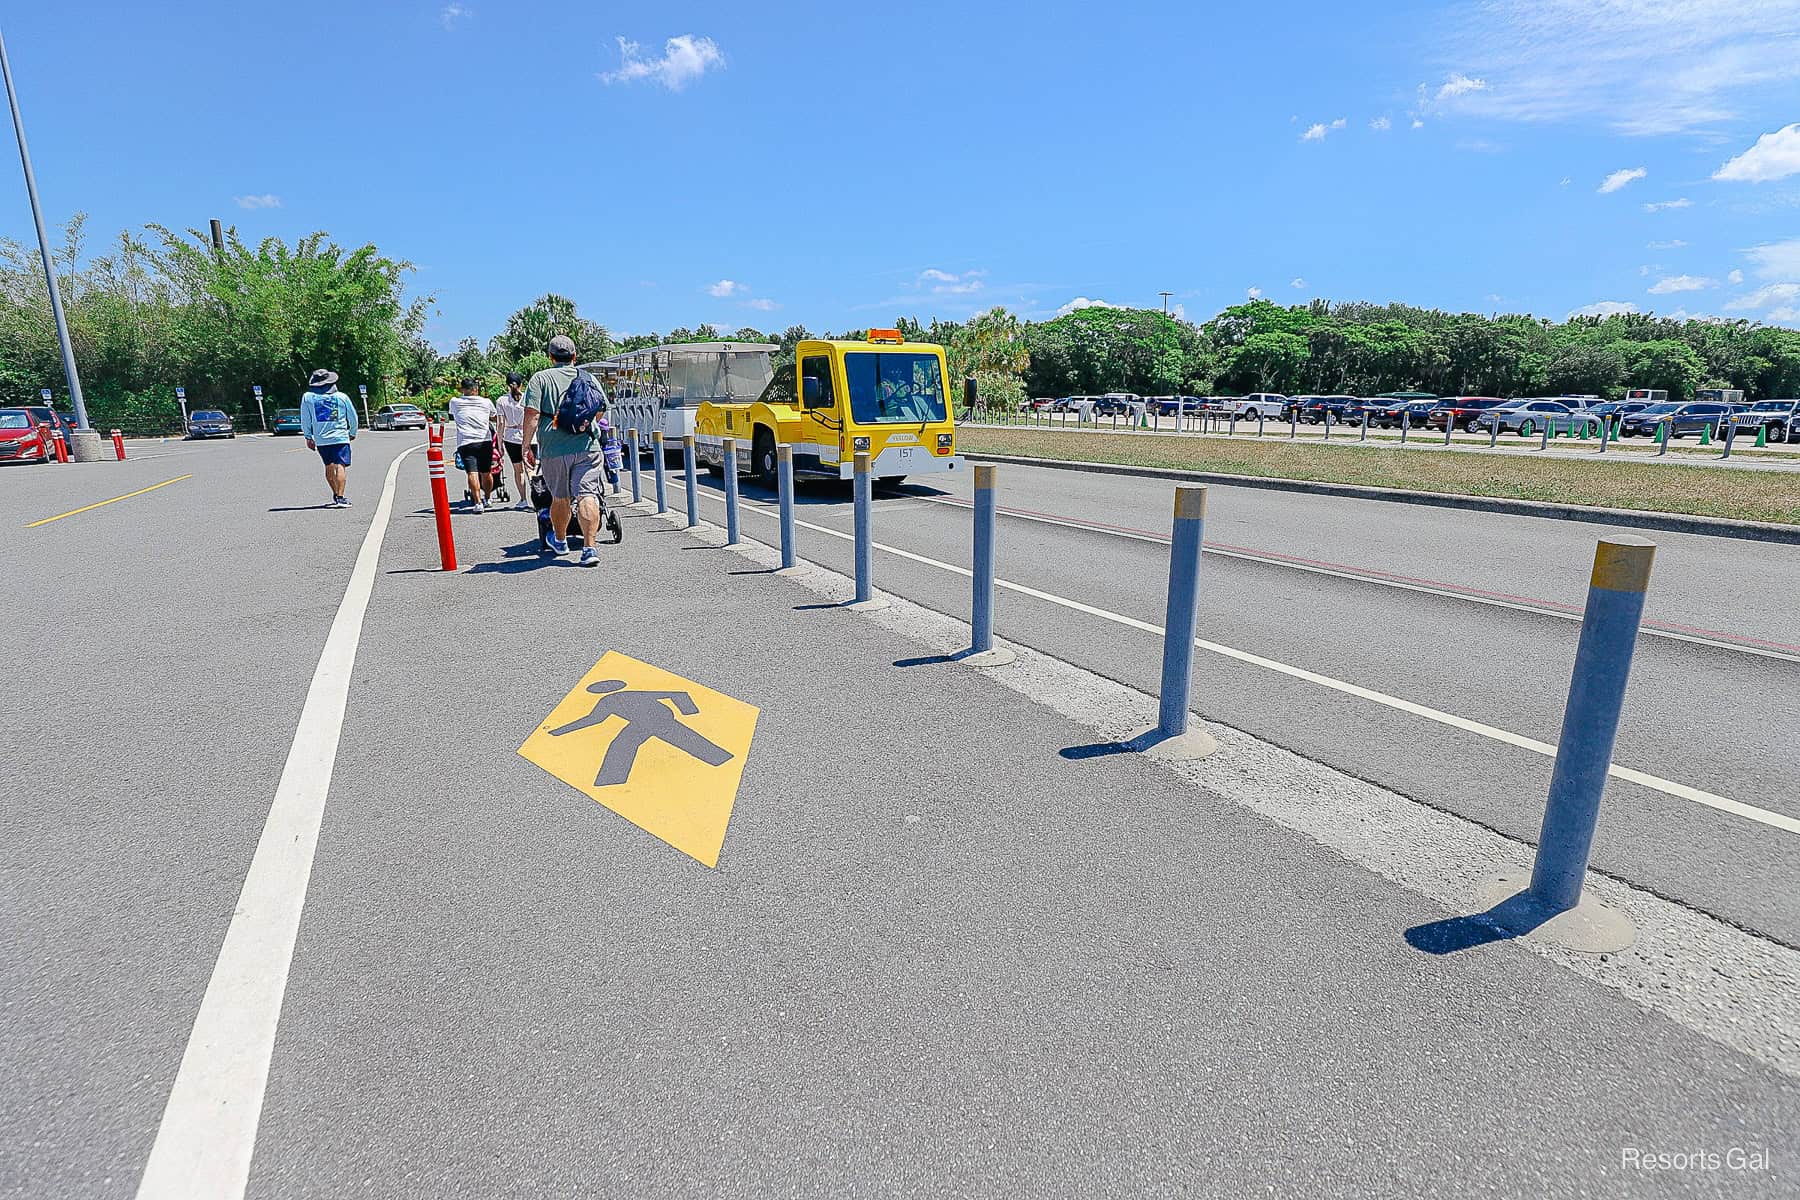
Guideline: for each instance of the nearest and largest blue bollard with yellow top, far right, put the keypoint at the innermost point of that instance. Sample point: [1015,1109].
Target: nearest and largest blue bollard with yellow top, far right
[1590,721]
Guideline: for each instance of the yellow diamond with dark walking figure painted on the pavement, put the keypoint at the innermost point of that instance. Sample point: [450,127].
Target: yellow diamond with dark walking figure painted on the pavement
[661,751]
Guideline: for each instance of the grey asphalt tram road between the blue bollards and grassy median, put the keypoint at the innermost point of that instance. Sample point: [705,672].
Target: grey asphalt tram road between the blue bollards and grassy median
[1471,614]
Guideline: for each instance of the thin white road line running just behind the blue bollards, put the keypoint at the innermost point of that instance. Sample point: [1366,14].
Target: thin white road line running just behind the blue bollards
[1668,787]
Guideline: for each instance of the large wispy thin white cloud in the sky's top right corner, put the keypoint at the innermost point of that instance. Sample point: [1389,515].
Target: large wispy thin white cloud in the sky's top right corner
[1635,66]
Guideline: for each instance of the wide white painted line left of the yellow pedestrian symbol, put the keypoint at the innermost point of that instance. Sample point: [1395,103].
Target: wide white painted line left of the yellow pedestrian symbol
[208,1131]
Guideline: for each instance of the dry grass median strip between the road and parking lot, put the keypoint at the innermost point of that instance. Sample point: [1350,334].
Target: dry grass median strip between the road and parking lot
[1657,488]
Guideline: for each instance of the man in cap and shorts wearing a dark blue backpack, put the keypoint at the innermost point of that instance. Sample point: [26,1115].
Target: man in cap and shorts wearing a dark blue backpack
[564,413]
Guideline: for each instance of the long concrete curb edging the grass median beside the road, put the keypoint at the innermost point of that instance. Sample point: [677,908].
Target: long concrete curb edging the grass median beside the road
[1633,519]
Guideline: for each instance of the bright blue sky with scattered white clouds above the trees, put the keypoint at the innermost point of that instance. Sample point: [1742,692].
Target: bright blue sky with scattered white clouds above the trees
[840,166]
